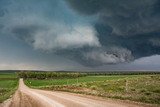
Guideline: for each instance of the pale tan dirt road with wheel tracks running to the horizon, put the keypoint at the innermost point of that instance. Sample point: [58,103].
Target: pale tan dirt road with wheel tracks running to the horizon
[26,97]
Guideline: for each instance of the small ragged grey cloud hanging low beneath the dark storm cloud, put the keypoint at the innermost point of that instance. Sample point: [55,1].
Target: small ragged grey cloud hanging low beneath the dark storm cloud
[112,56]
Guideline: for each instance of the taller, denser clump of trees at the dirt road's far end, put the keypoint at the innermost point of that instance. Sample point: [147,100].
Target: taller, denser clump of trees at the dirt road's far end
[50,75]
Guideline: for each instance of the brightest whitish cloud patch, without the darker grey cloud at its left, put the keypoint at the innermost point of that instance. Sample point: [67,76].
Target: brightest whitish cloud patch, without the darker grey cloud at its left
[60,37]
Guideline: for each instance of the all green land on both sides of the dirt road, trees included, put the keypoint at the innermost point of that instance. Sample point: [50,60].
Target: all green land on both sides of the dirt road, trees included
[141,88]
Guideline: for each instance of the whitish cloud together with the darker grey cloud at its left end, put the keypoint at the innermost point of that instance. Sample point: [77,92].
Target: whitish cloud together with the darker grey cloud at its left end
[58,36]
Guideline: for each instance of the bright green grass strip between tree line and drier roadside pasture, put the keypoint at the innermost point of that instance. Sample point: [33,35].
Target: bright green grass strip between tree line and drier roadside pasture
[35,83]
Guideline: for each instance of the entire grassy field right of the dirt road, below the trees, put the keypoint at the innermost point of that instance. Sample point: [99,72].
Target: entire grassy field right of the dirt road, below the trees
[141,88]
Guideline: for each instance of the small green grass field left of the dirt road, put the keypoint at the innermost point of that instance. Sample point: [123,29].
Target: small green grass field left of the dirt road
[8,85]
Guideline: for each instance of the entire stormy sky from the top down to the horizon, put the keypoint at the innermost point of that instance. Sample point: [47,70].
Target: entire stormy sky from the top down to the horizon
[96,35]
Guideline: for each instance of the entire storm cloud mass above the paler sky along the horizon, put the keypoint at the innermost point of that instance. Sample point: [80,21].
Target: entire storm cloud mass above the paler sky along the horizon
[91,32]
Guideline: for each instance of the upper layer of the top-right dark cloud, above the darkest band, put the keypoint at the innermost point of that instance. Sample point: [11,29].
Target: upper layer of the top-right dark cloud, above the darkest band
[125,17]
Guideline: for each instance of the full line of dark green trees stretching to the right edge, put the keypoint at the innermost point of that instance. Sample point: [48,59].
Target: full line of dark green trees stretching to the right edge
[59,74]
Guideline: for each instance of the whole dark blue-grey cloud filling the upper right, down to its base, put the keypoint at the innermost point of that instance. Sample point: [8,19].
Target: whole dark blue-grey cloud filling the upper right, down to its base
[124,23]
